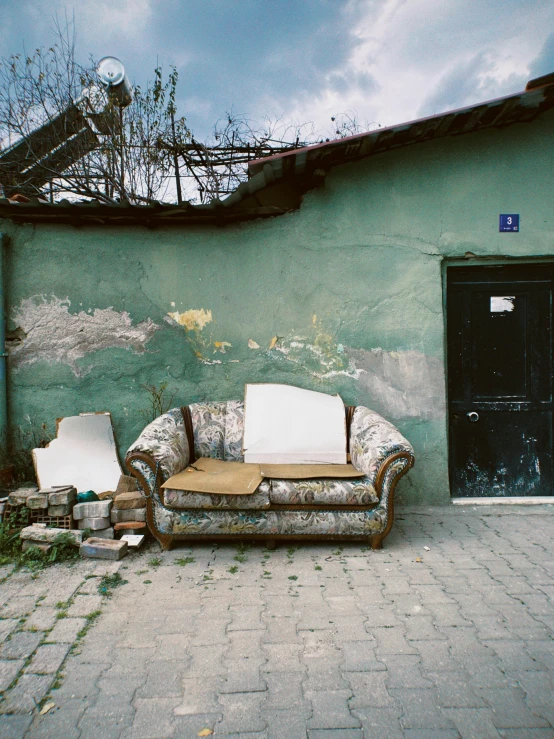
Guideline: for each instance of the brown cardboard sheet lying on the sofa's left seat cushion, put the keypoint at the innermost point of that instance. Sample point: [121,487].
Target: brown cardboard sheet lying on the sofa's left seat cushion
[217,477]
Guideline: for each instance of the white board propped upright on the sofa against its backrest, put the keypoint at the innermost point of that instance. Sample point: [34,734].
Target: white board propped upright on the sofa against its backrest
[288,425]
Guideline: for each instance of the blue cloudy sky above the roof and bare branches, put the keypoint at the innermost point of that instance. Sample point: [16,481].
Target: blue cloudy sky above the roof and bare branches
[384,61]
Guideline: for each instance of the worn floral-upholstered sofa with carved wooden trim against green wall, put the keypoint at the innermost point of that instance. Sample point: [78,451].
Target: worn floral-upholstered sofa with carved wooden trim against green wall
[355,509]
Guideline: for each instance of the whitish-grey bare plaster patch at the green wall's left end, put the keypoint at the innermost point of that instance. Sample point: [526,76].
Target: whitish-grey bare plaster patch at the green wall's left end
[53,334]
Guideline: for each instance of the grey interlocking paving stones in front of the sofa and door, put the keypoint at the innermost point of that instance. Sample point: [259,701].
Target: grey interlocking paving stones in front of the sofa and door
[315,642]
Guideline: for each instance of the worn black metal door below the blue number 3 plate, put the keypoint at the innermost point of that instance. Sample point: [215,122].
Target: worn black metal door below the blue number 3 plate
[500,380]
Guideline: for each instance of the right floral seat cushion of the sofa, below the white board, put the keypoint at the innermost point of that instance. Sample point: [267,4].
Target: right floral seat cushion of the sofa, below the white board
[323,492]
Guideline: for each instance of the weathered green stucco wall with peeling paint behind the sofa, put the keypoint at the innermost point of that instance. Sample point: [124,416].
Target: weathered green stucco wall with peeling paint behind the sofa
[351,284]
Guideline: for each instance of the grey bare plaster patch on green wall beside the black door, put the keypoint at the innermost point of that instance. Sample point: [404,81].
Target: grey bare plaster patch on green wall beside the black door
[402,384]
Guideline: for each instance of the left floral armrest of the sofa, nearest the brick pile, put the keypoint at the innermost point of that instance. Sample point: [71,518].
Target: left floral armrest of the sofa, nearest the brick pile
[163,444]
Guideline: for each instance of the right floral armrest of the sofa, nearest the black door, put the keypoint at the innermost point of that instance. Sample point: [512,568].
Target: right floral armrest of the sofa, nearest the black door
[372,439]
